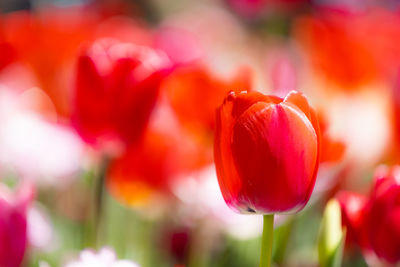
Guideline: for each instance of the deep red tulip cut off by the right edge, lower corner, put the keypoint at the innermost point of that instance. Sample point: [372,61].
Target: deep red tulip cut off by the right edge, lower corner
[384,216]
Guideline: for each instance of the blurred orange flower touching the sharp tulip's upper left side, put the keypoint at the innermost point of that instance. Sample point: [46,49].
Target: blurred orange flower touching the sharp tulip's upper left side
[195,93]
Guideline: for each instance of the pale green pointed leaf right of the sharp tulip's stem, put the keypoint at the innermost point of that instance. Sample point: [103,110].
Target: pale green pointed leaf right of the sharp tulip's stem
[331,237]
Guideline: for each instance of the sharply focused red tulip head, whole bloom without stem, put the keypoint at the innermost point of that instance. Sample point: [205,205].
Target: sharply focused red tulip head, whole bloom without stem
[266,152]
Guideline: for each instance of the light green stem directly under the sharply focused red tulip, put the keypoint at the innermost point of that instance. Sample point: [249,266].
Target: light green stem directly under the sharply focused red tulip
[266,240]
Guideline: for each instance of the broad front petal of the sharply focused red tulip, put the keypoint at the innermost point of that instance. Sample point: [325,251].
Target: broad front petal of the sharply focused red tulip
[275,150]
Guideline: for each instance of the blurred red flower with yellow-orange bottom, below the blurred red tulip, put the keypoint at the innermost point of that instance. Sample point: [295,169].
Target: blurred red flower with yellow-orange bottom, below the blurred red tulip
[153,166]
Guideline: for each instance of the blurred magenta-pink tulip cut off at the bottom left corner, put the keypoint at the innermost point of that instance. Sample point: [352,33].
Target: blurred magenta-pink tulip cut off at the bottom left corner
[13,235]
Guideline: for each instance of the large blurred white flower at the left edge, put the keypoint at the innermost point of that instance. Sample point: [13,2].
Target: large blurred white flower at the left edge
[45,152]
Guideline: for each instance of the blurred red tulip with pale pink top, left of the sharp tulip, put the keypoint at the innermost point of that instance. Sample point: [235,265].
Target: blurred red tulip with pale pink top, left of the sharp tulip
[117,85]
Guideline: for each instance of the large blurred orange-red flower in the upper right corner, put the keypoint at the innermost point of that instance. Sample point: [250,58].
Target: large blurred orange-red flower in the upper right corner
[335,51]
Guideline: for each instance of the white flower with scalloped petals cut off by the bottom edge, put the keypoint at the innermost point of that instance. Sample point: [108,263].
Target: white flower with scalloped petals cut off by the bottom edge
[104,258]
